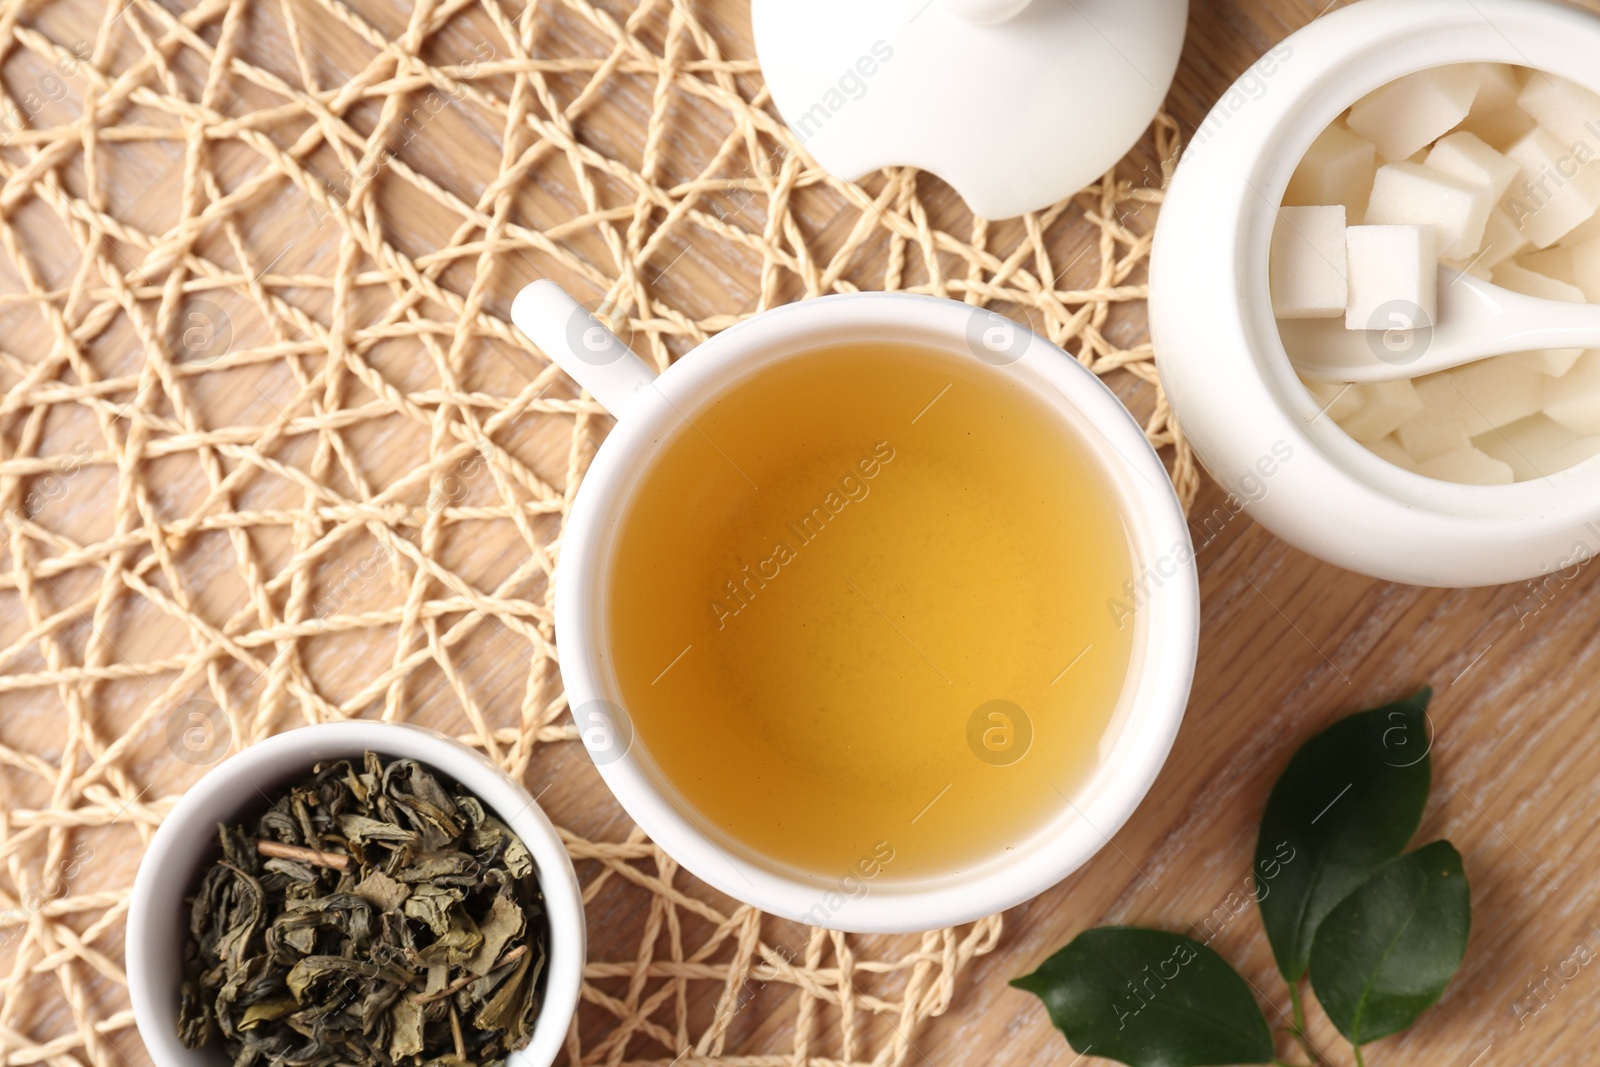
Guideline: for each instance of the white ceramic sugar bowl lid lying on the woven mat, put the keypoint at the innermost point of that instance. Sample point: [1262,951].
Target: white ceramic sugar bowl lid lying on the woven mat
[1015,103]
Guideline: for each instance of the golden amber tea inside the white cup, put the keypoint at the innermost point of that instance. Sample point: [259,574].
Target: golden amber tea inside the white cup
[860,615]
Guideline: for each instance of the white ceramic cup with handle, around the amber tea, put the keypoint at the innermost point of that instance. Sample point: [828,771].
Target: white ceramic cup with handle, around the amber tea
[654,410]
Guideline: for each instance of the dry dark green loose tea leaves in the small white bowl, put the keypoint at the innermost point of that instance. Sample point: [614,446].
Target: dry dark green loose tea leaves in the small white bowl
[378,916]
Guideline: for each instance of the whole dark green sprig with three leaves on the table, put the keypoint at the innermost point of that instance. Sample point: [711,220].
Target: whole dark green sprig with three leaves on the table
[1377,930]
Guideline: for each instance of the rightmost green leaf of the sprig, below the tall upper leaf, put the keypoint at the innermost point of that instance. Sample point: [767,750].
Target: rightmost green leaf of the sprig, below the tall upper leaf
[1388,953]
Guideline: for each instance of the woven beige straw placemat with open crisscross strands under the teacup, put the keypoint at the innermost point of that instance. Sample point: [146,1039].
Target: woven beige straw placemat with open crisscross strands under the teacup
[271,452]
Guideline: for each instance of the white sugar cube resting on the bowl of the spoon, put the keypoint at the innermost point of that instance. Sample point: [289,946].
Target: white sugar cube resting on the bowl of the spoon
[1393,274]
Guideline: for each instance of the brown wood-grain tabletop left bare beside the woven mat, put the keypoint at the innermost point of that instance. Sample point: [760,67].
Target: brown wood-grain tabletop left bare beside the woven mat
[1290,644]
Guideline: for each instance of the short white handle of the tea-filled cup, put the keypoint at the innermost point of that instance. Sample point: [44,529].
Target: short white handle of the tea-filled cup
[582,345]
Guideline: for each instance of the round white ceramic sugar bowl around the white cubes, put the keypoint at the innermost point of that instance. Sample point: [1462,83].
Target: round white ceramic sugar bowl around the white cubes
[1218,348]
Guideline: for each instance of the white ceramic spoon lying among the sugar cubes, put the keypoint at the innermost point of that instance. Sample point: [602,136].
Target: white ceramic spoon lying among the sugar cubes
[1476,321]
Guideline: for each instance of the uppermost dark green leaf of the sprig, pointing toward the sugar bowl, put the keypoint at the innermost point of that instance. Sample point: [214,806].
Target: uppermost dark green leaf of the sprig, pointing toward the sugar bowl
[1348,802]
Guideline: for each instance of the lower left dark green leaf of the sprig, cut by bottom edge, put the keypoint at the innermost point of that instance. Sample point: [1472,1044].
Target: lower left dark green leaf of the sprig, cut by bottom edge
[1151,999]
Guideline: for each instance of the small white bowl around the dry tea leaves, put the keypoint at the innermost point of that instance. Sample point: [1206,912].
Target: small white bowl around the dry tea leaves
[241,788]
